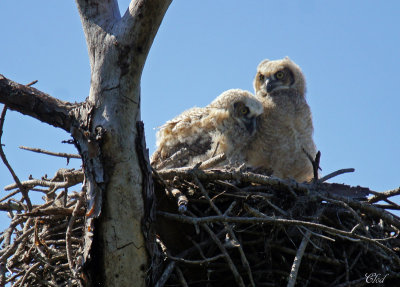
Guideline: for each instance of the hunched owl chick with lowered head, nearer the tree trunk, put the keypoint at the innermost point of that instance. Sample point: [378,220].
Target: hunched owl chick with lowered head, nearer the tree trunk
[227,125]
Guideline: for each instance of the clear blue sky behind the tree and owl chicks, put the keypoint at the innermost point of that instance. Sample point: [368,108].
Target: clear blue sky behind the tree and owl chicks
[349,52]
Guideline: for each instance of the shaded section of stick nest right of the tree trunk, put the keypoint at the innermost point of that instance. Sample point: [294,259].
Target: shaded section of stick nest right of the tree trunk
[233,228]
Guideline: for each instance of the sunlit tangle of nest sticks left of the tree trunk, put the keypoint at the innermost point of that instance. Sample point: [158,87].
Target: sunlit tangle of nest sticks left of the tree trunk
[43,244]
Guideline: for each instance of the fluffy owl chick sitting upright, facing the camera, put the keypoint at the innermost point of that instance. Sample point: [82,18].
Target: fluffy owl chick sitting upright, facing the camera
[285,129]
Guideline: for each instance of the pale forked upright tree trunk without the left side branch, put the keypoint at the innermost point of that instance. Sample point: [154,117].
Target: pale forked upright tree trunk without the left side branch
[118,48]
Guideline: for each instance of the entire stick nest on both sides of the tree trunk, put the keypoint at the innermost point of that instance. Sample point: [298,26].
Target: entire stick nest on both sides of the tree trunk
[215,227]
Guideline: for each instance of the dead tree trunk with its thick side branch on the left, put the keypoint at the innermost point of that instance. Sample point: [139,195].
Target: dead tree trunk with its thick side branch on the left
[104,130]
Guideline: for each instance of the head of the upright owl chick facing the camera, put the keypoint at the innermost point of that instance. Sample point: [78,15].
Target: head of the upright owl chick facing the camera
[278,75]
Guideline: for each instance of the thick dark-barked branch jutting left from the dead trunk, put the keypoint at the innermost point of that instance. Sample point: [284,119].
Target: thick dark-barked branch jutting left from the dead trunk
[32,102]
